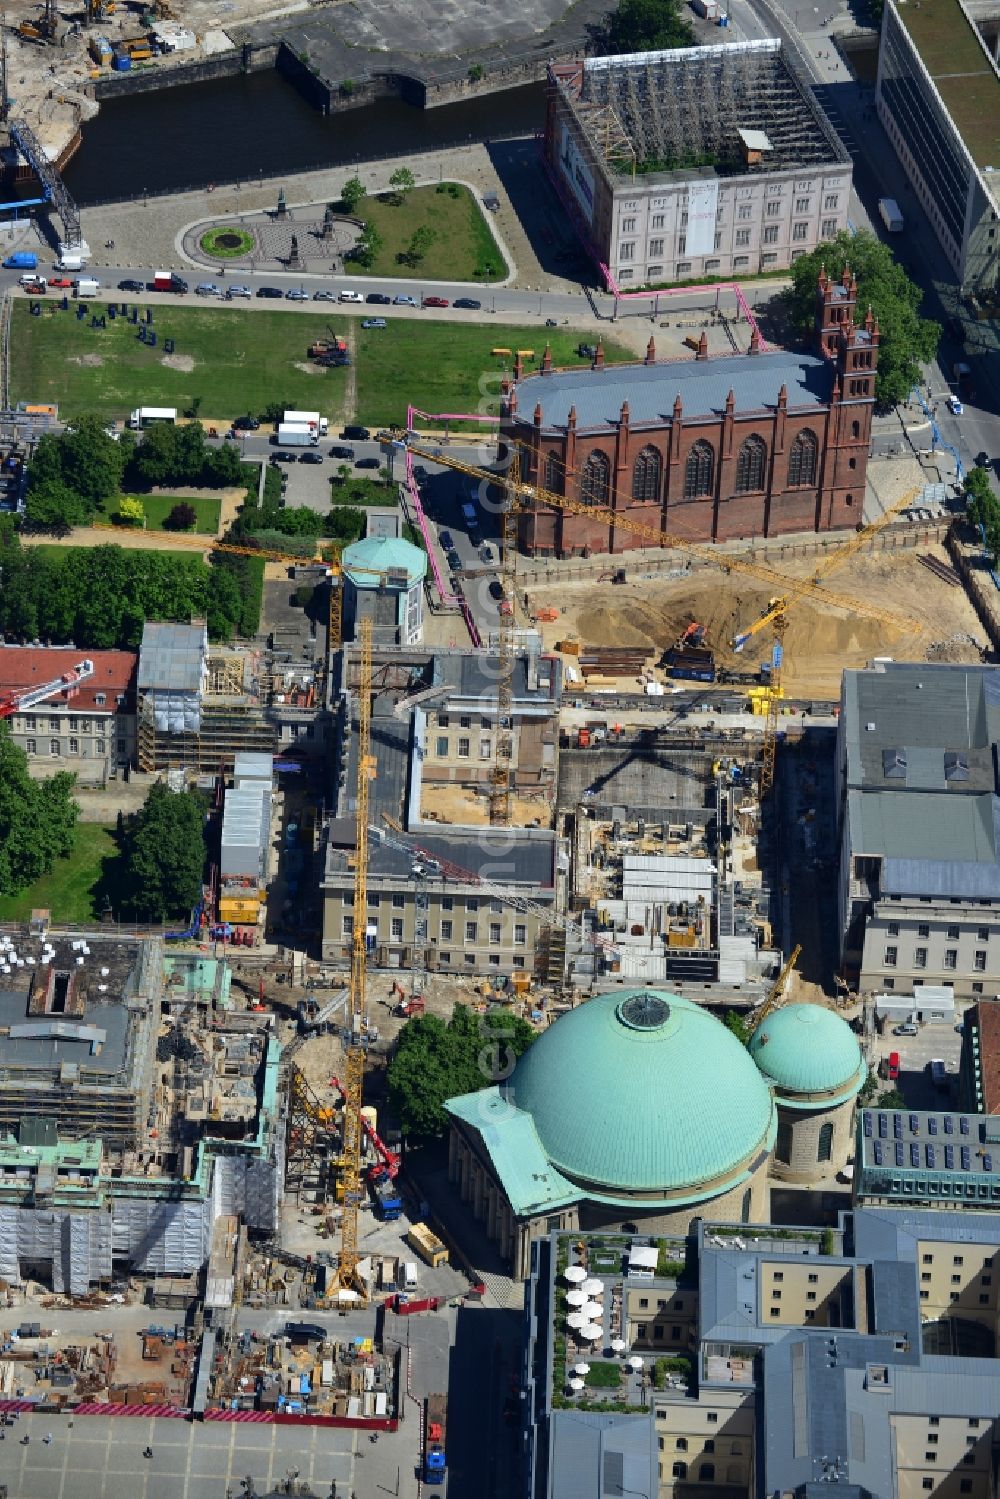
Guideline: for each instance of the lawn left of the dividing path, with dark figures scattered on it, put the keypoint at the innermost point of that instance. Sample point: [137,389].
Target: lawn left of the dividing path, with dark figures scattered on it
[242,361]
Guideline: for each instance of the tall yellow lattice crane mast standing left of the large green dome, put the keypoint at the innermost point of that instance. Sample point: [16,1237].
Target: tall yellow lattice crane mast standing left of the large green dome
[358,1020]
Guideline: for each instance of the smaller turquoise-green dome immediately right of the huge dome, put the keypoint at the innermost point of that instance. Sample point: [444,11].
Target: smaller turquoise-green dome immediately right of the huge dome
[809,1050]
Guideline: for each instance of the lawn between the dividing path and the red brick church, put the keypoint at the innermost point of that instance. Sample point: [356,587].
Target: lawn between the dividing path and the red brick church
[449,367]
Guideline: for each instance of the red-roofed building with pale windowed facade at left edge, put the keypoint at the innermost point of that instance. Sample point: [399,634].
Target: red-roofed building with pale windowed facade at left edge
[89,726]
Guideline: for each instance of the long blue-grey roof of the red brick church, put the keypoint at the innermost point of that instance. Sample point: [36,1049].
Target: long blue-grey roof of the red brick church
[651,389]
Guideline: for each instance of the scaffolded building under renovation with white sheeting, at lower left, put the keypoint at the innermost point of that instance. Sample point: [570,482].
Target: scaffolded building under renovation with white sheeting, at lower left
[127,1134]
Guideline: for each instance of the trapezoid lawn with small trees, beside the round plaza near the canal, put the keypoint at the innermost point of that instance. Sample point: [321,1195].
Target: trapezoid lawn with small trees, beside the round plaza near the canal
[463,250]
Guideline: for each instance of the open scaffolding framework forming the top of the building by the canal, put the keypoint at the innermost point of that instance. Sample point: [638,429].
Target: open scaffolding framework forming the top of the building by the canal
[659,113]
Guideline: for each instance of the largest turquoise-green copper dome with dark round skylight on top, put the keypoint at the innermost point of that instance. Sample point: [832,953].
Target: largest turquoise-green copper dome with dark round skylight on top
[642,1092]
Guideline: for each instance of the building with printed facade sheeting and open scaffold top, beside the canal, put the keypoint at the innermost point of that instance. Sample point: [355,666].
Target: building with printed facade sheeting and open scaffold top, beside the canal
[695,163]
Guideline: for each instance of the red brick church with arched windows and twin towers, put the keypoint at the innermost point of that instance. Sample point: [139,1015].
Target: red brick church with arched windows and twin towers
[753,444]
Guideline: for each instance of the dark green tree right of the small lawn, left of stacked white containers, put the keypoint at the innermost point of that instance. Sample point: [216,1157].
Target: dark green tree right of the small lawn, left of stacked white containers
[166,854]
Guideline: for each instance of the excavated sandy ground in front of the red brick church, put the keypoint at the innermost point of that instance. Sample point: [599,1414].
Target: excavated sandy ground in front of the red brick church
[935,623]
